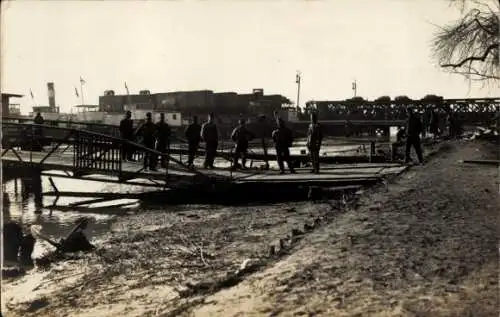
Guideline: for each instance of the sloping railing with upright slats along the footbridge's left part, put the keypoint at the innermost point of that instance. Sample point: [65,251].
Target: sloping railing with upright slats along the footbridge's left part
[86,151]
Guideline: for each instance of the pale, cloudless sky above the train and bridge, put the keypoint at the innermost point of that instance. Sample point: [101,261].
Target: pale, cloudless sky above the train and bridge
[226,46]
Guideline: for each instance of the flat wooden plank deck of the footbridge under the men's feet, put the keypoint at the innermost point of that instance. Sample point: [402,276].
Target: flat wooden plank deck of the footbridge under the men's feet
[330,174]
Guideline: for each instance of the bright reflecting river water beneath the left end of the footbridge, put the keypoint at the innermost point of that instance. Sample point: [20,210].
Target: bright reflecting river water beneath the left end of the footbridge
[24,203]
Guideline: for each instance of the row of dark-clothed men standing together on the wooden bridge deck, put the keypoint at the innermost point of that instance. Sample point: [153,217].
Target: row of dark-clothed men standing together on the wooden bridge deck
[158,136]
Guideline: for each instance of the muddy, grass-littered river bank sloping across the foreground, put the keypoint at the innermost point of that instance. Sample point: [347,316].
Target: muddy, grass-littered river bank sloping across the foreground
[422,244]
